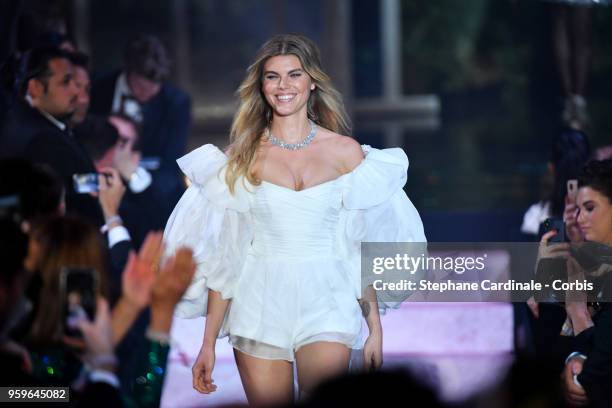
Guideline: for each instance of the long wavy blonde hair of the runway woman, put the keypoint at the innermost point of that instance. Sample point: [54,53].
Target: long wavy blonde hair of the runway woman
[254,115]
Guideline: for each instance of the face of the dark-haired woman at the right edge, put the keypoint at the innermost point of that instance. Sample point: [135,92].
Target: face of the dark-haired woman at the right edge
[595,217]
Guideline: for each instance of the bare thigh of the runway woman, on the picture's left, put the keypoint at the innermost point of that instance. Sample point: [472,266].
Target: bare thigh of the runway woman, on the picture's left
[265,382]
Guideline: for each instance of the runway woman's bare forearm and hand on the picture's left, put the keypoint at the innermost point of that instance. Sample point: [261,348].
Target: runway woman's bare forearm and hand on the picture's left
[202,369]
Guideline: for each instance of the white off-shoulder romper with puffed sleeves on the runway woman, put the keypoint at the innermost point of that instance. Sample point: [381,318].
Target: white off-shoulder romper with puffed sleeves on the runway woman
[289,260]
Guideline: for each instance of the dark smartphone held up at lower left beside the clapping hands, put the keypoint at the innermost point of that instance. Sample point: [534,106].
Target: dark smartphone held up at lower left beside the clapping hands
[79,288]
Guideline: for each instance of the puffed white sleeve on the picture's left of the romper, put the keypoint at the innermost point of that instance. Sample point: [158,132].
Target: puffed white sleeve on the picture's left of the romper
[214,223]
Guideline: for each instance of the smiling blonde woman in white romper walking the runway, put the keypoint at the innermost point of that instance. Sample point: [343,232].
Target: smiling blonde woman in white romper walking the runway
[276,224]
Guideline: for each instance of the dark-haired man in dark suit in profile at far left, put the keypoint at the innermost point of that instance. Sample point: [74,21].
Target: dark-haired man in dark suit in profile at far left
[36,128]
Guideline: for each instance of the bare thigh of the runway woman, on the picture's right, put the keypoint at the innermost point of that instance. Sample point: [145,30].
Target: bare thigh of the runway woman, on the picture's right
[319,361]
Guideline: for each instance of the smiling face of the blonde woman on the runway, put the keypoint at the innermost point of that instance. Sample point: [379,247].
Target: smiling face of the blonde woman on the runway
[286,86]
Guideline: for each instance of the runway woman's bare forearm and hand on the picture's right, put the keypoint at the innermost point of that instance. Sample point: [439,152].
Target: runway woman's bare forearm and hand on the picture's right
[372,350]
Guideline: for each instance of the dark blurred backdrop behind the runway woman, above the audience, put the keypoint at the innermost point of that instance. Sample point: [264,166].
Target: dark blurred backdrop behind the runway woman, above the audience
[477,155]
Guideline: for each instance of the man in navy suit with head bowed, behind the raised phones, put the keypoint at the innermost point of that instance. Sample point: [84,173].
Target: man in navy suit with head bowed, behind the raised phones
[141,92]
